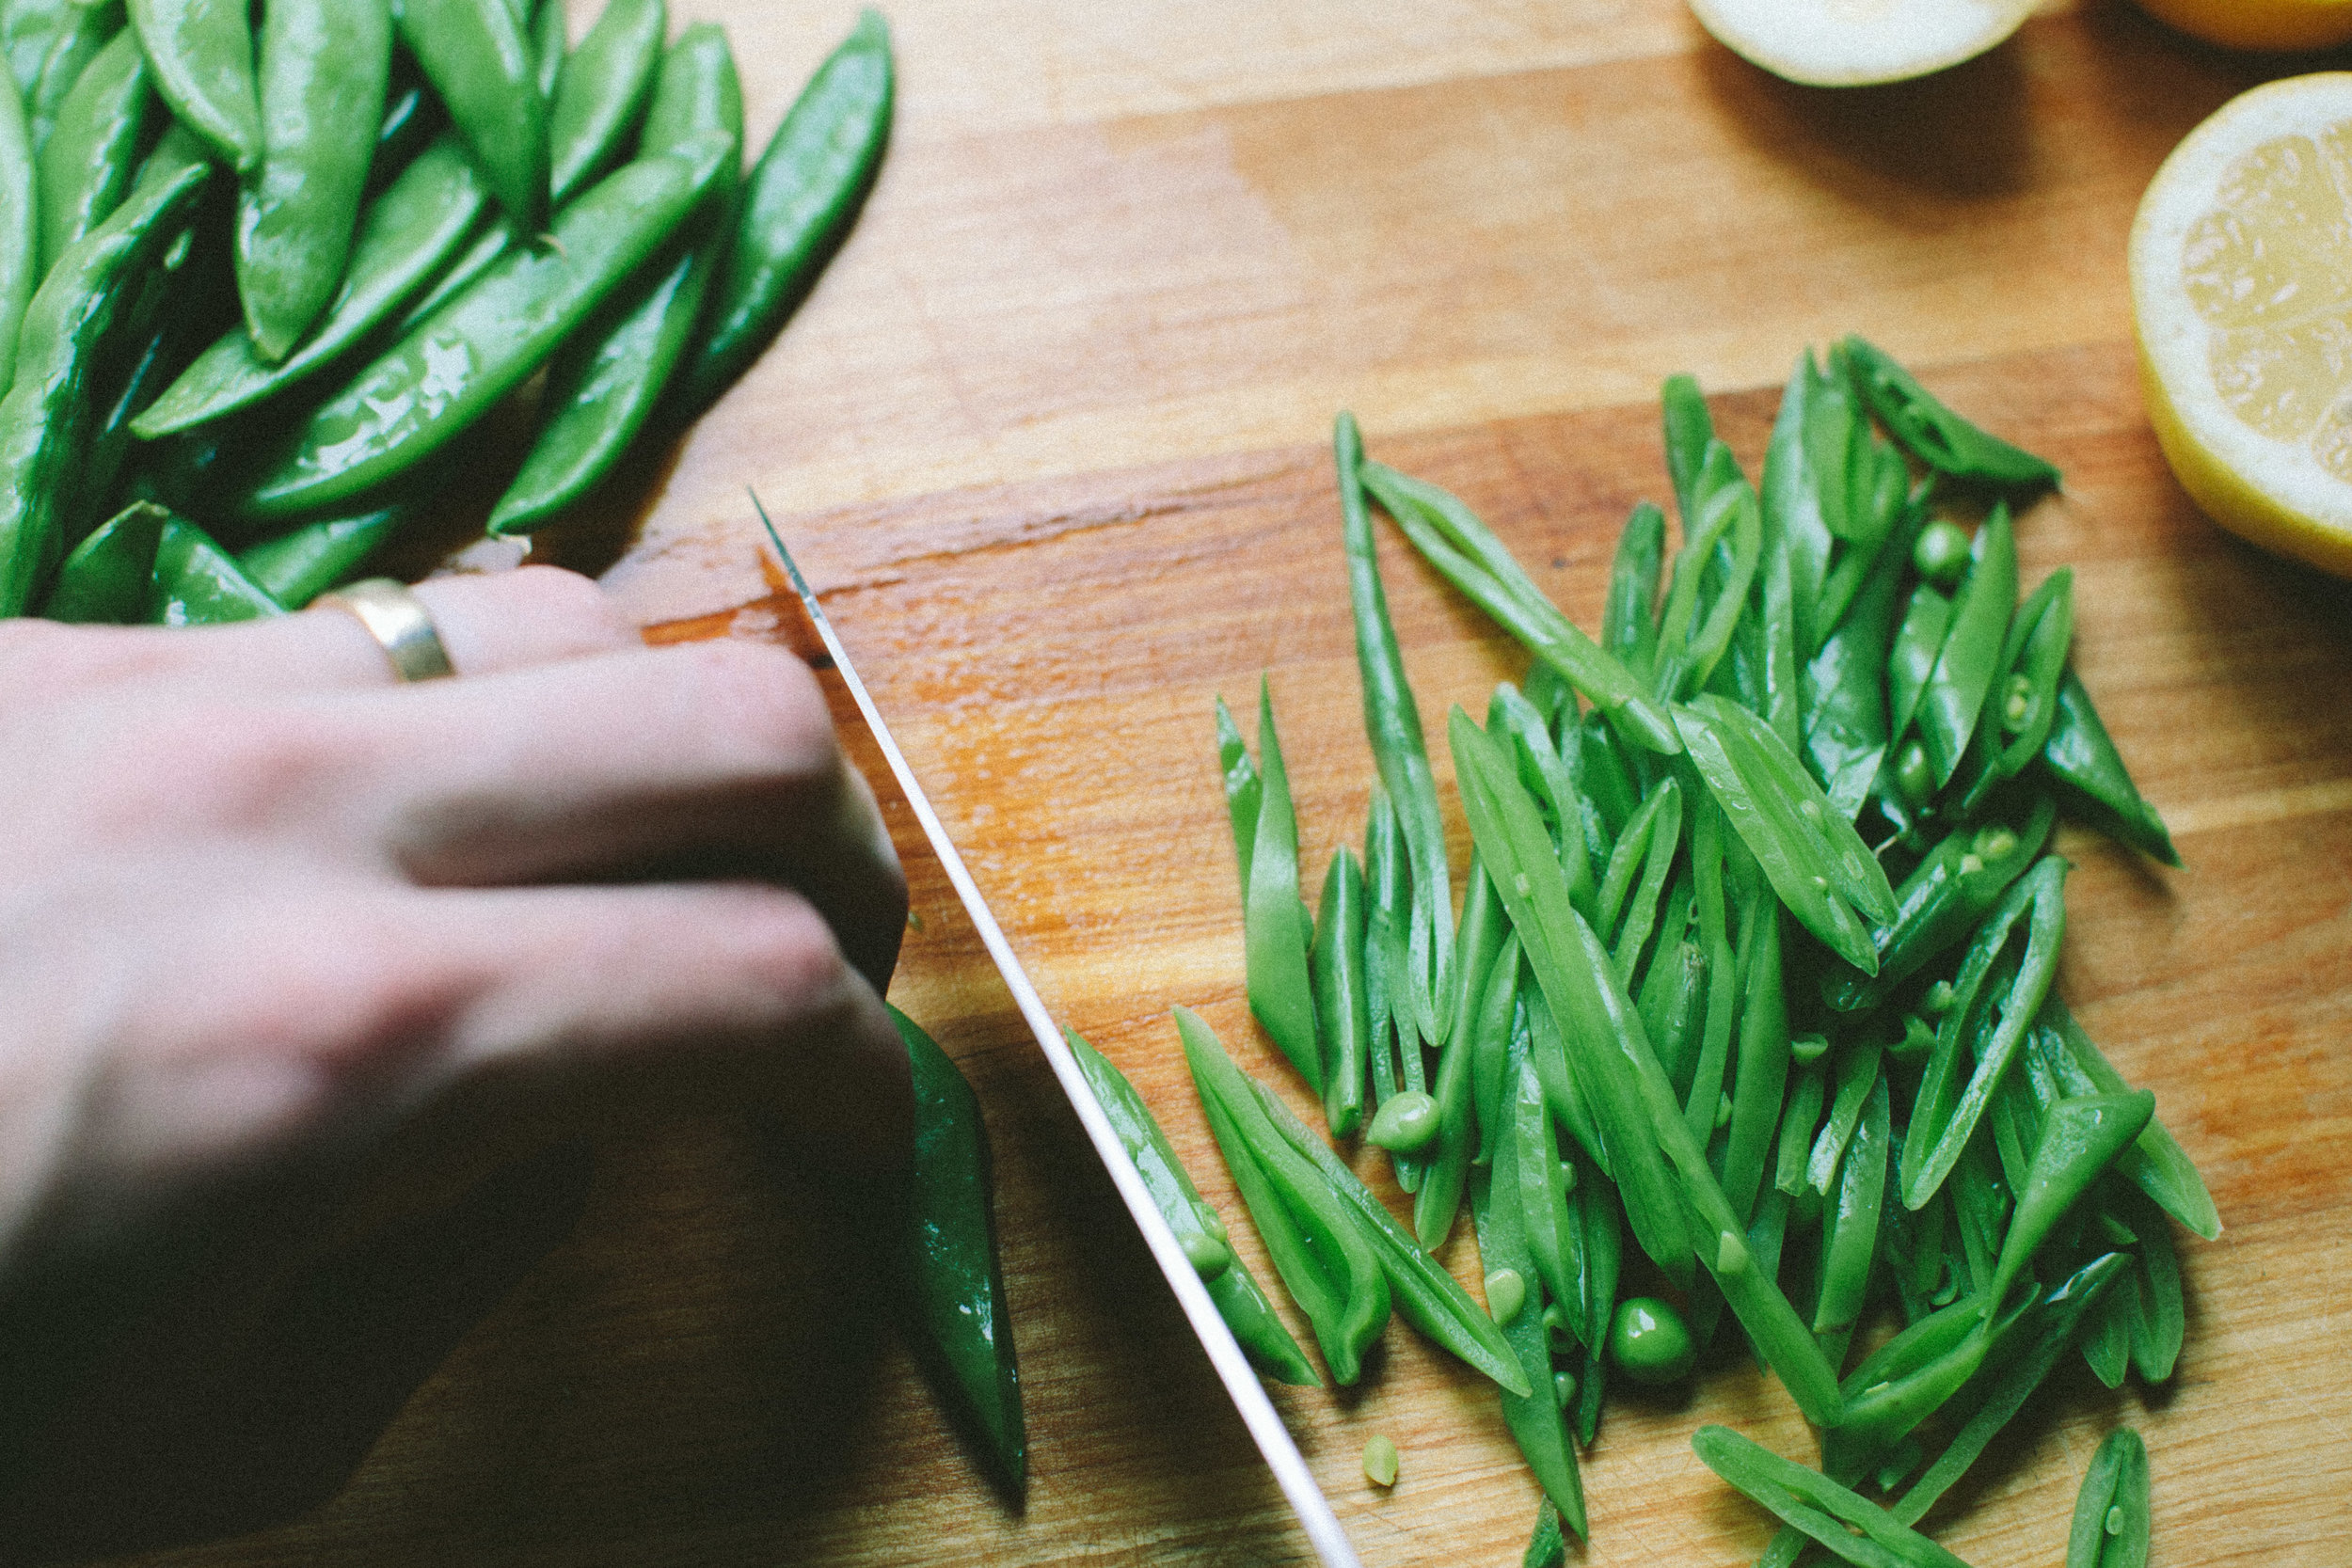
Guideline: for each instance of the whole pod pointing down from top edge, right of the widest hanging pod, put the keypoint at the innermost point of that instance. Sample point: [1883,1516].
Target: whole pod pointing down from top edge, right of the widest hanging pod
[483,67]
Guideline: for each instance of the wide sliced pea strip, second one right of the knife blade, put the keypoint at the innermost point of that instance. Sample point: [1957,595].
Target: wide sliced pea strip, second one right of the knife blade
[1321,1247]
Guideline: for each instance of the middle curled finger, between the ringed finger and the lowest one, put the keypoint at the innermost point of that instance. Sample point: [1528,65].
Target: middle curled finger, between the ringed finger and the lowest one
[700,760]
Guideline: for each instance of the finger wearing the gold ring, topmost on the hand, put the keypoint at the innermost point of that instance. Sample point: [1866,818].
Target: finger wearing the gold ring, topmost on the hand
[486,622]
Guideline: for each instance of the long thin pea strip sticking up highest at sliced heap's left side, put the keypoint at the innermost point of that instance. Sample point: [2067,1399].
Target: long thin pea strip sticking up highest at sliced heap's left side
[1403,760]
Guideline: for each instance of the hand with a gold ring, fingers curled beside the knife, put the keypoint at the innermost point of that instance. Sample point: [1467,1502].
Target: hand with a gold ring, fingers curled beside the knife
[272,925]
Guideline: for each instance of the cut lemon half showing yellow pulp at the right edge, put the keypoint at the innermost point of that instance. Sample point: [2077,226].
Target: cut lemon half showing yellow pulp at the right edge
[2243,304]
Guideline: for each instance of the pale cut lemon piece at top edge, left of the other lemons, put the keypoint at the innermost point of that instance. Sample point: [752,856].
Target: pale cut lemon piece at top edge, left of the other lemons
[1855,43]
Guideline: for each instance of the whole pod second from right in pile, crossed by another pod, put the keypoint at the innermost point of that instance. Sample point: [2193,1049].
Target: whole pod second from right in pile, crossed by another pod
[603,387]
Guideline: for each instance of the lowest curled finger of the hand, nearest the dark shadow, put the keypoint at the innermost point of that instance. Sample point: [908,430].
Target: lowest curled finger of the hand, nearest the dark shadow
[505,1017]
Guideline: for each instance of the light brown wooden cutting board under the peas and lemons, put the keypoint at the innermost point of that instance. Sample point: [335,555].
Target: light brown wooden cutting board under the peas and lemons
[1053,441]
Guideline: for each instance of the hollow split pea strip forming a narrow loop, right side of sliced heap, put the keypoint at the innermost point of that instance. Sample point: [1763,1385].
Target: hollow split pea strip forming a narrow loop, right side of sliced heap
[1944,1118]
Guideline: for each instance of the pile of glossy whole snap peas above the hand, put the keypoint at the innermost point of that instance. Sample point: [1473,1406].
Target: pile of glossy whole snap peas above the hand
[262,283]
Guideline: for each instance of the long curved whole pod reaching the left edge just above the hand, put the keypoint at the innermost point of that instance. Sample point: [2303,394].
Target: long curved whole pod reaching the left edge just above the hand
[51,413]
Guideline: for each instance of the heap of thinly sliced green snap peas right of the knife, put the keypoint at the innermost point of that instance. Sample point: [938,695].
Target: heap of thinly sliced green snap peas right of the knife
[1753,967]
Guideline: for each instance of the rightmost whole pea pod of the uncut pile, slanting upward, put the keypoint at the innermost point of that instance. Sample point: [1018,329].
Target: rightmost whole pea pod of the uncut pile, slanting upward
[796,208]
